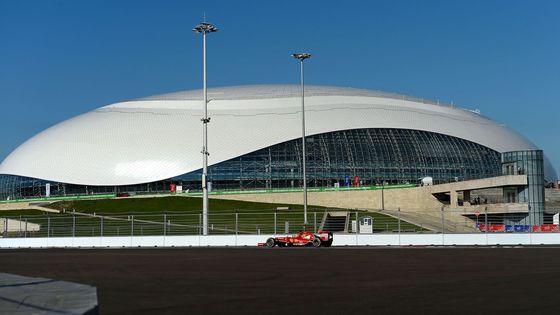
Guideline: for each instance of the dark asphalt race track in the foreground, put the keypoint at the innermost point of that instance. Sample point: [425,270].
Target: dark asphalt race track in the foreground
[305,280]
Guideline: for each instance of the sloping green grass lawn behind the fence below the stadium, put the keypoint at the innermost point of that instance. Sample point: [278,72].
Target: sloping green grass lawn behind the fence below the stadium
[180,216]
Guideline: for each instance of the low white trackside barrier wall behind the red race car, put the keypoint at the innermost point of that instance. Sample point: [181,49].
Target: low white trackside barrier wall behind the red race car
[481,239]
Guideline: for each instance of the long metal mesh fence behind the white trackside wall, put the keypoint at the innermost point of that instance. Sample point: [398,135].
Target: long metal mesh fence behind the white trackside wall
[275,222]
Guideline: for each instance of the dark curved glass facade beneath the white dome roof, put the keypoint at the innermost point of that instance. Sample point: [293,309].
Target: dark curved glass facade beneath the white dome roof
[371,156]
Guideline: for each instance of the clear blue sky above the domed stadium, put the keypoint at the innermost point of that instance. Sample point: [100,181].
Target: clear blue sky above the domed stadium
[59,59]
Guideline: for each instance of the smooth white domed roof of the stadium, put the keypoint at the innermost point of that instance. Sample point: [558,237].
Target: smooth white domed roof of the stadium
[159,137]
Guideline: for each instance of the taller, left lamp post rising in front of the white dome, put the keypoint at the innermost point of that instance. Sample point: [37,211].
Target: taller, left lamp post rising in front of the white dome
[205,28]
